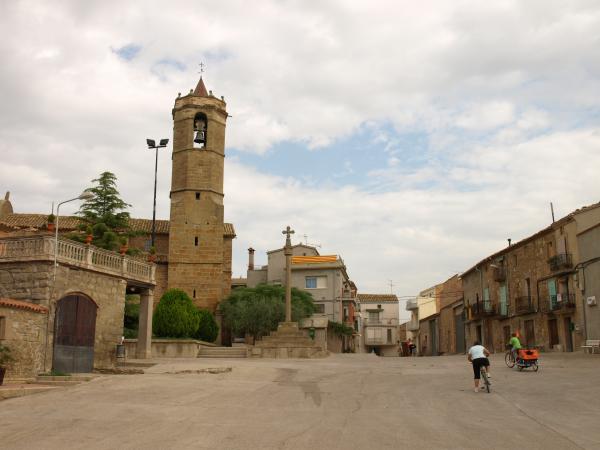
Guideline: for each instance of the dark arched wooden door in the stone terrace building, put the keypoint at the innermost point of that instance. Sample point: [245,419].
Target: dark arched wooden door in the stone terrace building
[74,333]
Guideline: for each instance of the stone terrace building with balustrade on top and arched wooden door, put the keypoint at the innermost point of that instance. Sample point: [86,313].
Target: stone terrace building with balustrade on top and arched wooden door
[81,300]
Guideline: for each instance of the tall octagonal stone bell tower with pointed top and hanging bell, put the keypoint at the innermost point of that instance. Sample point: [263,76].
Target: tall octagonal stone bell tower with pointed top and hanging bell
[196,243]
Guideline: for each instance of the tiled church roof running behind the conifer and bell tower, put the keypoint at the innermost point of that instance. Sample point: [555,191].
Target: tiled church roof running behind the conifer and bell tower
[67,223]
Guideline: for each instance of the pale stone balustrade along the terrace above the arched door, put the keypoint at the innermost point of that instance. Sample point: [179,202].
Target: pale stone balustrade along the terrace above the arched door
[40,248]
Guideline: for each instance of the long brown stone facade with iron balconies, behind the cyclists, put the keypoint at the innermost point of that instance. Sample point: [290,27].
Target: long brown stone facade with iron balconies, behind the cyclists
[531,288]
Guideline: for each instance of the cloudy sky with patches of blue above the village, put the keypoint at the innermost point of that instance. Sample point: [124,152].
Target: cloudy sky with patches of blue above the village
[410,138]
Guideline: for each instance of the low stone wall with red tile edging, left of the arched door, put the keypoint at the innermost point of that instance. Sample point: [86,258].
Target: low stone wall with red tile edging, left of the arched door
[24,334]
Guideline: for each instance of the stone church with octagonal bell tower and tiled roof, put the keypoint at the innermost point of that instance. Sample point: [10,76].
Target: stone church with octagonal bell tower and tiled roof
[194,248]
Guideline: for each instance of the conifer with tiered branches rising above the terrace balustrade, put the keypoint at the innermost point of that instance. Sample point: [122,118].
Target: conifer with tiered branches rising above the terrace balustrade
[106,206]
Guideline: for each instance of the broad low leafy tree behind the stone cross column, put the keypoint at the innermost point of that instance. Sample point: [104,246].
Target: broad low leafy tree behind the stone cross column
[257,311]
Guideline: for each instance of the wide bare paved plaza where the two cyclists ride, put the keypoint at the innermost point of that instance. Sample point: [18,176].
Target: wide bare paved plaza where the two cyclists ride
[341,402]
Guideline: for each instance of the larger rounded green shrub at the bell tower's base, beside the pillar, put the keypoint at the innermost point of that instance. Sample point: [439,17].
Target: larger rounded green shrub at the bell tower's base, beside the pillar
[175,315]
